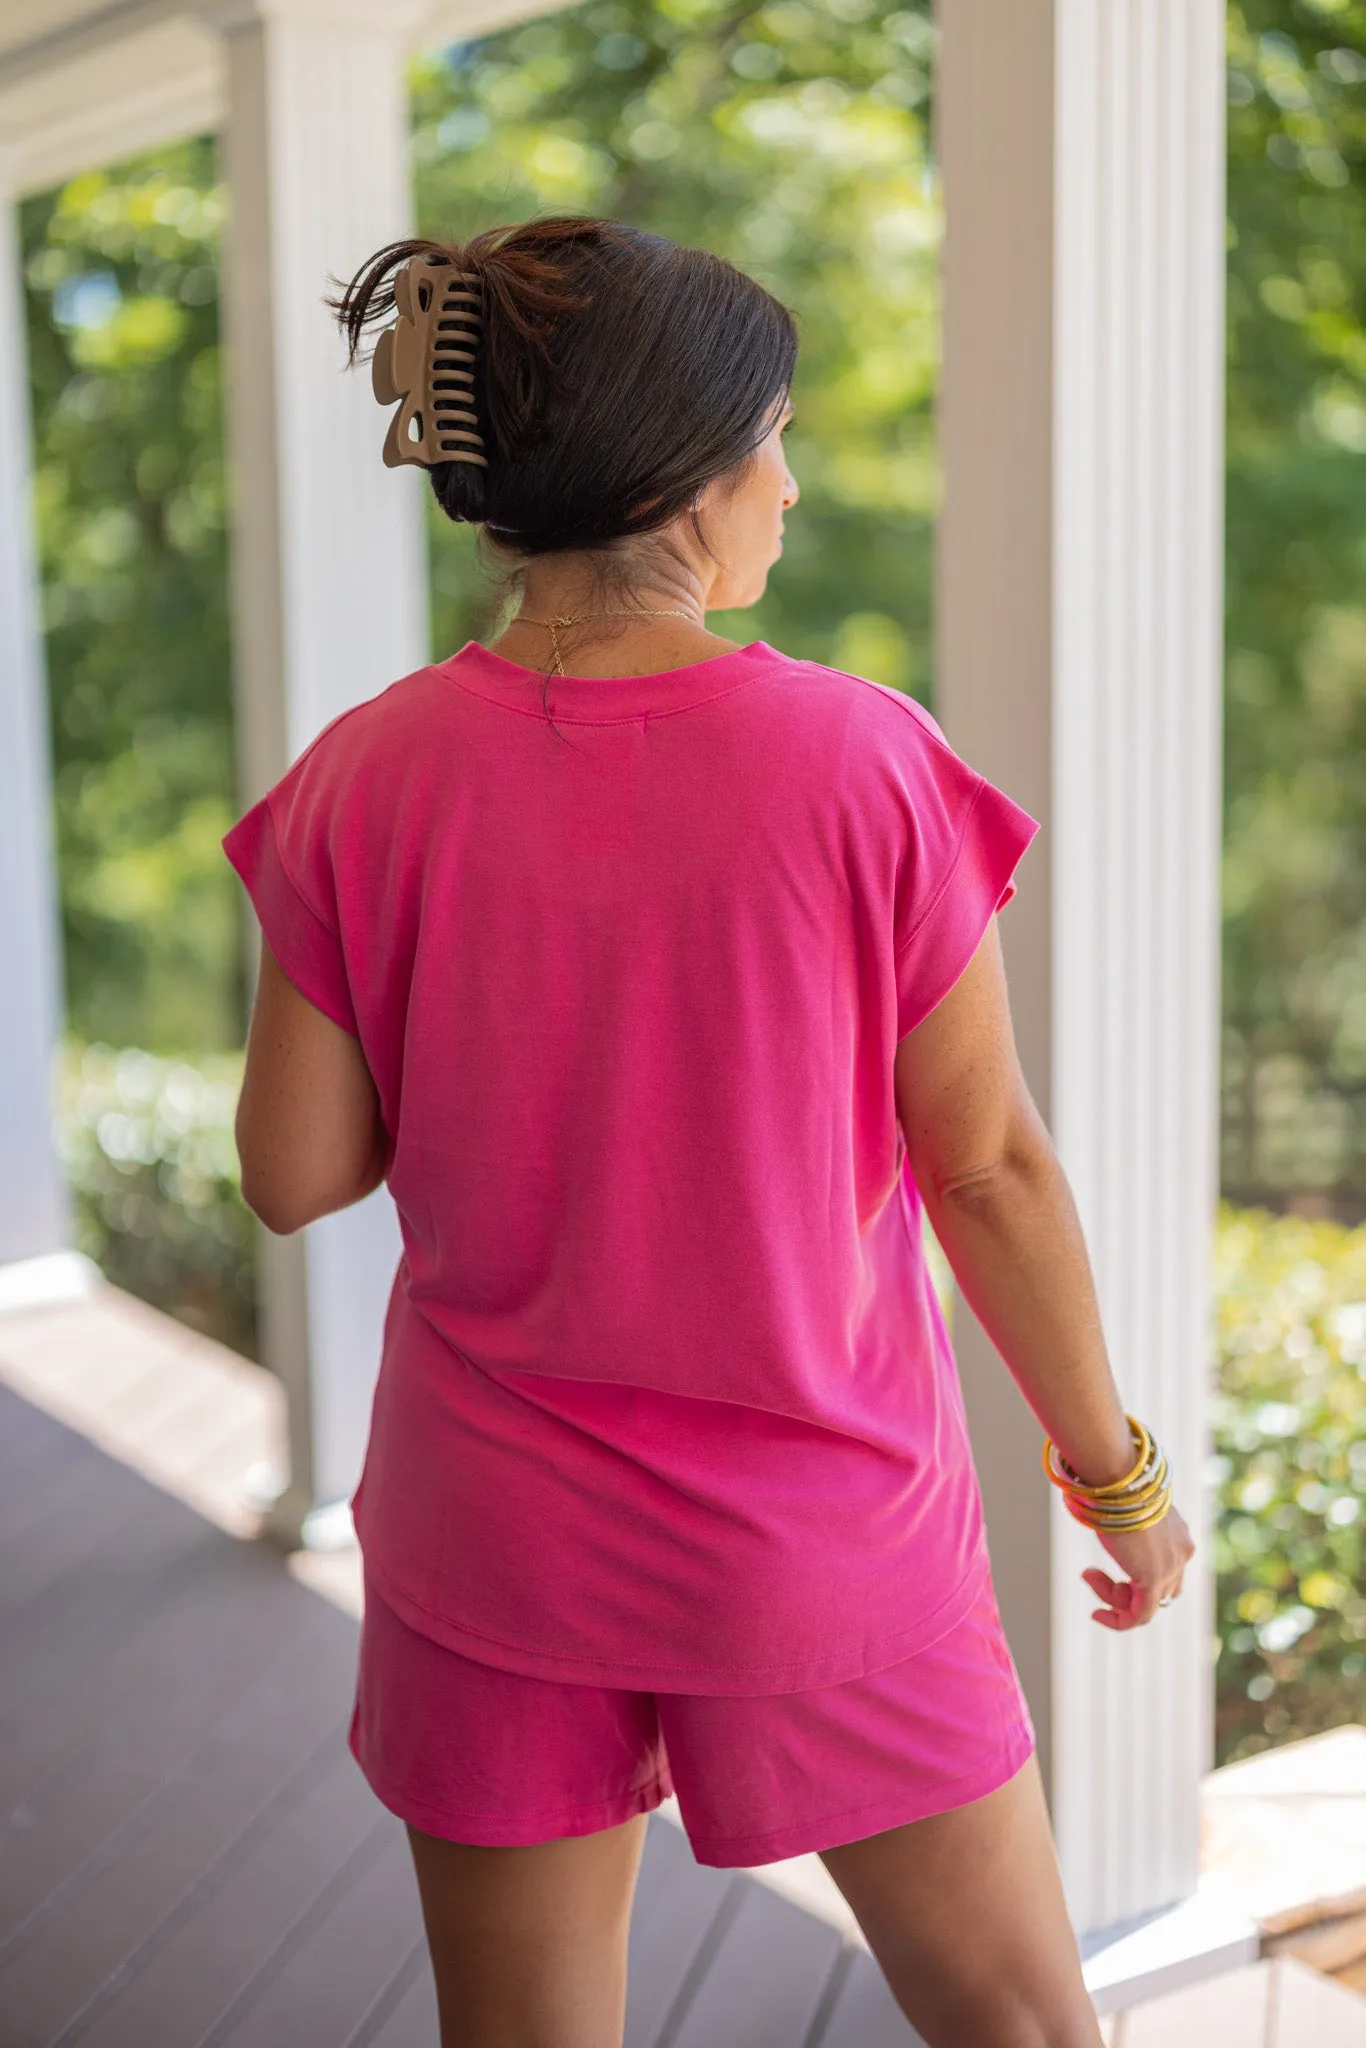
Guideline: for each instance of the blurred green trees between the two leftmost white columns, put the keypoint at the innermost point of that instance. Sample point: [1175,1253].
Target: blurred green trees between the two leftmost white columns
[122,275]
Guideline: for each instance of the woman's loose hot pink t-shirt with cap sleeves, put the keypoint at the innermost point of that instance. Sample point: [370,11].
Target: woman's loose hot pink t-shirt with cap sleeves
[667,1398]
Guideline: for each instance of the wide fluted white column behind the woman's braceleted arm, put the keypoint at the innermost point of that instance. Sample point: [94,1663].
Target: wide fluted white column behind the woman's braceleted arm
[1080,665]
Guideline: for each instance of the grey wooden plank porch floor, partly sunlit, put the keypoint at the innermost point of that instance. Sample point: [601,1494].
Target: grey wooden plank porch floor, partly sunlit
[189,1857]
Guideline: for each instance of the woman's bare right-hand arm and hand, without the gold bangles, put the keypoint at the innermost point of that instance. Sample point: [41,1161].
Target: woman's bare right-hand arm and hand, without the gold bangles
[1007,1222]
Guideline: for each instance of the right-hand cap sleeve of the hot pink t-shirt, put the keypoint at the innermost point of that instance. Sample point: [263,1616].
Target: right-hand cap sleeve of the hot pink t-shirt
[968,843]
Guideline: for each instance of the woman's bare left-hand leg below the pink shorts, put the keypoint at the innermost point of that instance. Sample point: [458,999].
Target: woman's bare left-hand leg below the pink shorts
[529,1947]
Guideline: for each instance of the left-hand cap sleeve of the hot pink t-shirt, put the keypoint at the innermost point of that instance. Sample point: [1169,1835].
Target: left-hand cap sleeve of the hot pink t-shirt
[282,851]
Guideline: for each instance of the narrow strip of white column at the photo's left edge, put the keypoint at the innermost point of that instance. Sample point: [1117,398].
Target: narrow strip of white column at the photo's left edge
[34,1211]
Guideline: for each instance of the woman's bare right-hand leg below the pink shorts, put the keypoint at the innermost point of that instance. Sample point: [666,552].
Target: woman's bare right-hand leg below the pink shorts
[966,1916]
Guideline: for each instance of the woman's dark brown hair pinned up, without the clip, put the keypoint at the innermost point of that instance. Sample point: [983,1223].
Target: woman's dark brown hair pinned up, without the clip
[615,380]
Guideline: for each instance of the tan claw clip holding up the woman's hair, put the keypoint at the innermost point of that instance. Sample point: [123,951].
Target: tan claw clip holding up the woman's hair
[425,366]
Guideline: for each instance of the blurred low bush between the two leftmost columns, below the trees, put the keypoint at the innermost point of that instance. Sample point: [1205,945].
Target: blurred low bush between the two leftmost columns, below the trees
[148,1146]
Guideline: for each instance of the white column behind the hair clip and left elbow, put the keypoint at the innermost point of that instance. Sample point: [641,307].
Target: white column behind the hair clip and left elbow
[329,574]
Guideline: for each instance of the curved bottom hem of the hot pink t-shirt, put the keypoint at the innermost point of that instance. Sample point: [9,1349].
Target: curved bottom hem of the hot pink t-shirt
[710,1680]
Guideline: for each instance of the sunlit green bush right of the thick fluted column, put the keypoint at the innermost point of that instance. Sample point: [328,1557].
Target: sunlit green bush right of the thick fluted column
[1291,1478]
